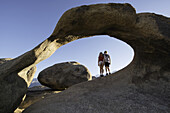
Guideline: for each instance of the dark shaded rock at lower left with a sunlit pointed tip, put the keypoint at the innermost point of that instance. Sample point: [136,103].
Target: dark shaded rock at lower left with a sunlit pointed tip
[12,85]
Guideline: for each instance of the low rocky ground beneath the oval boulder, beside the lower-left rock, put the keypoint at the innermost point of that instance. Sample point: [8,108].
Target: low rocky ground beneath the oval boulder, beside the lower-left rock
[33,95]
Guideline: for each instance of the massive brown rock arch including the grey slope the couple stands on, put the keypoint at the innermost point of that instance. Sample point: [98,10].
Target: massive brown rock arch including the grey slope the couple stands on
[143,86]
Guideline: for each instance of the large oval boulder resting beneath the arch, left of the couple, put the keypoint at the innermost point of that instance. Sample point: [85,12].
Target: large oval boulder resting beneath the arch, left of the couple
[64,75]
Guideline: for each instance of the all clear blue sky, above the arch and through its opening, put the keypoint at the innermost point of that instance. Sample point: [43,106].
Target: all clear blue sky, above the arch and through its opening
[25,24]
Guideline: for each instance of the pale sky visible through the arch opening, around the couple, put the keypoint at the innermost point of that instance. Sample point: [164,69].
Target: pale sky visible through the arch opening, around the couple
[86,51]
